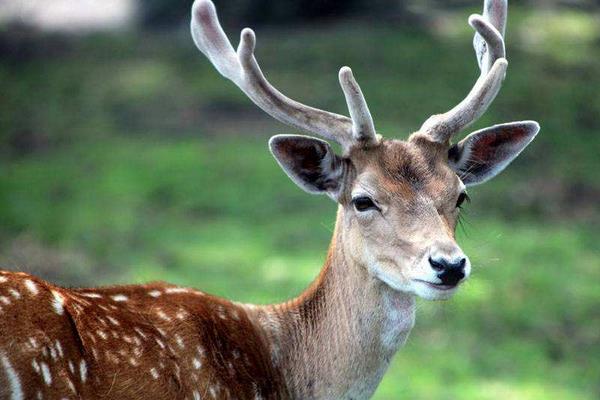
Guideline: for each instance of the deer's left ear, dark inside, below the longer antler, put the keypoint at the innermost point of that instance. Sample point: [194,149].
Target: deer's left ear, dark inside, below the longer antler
[310,163]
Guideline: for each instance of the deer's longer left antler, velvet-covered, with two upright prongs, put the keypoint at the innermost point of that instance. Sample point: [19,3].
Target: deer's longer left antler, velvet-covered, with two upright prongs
[243,70]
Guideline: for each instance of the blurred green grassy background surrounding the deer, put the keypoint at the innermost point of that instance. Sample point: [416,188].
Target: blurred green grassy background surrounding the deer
[125,157]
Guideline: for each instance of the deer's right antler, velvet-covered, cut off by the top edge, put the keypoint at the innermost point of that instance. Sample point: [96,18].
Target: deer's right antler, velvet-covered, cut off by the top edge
[490,52]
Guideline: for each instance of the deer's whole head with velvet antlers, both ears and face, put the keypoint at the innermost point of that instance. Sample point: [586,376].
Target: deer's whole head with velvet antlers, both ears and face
[399,200]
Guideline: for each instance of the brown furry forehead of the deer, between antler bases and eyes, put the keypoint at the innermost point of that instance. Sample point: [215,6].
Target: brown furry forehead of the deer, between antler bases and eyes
[405,171]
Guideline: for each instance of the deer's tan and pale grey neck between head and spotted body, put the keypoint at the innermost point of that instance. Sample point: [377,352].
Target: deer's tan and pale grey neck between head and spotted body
[336,340]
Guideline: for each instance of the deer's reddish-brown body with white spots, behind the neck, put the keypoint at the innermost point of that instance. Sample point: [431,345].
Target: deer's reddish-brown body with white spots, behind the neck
[137,342]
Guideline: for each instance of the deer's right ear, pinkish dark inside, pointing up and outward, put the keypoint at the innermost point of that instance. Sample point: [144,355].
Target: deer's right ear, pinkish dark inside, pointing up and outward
[485,153]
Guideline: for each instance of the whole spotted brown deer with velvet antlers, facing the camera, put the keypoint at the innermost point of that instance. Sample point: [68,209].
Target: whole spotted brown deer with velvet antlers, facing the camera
[394,241]
